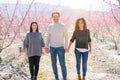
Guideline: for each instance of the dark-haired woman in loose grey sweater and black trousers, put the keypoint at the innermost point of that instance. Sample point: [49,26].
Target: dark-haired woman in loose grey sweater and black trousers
[33,44]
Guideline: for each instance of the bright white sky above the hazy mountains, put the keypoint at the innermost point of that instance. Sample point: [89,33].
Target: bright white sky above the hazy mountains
[96,5]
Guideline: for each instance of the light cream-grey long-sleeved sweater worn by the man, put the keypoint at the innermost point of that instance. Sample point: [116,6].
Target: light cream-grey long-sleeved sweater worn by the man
[56,36]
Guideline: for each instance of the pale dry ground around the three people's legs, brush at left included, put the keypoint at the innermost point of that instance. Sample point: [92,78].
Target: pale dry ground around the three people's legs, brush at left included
[102,65]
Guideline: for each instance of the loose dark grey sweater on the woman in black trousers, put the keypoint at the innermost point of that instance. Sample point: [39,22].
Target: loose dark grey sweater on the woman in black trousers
[34,42]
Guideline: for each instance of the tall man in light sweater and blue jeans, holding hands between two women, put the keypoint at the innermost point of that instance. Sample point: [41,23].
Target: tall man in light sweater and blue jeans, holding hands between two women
[57,42]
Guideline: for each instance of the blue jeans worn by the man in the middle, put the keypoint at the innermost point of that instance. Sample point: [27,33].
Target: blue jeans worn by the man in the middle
[61,55]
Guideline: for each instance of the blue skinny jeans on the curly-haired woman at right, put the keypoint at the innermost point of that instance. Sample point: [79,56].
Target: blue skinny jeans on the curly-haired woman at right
[84,56]
